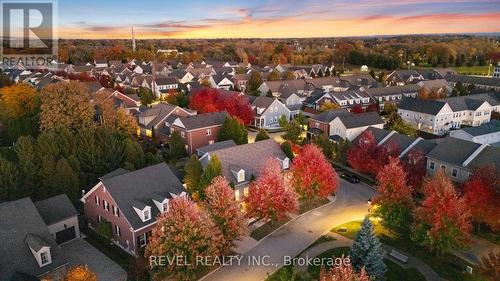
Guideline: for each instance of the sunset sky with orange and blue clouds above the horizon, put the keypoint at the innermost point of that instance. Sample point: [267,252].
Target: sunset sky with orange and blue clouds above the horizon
[100,19]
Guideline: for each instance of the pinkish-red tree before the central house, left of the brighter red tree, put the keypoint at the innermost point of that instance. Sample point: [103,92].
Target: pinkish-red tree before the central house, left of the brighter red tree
[270,197]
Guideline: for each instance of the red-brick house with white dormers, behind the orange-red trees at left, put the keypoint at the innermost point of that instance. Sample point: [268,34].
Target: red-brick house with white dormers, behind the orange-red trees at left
[130,202]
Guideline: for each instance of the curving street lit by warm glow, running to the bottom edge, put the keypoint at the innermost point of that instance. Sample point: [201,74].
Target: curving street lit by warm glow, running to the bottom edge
[290,240]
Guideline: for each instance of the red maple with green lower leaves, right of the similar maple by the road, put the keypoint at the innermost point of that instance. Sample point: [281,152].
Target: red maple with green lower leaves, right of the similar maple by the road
[443,221]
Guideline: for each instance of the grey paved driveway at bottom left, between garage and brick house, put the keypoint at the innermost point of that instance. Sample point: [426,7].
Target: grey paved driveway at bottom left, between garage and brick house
[79,252]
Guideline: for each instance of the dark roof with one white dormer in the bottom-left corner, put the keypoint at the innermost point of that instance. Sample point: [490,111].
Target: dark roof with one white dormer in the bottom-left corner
[20,225]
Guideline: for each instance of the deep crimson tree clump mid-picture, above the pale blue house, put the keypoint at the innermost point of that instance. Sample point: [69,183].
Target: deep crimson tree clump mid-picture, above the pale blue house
[214,100]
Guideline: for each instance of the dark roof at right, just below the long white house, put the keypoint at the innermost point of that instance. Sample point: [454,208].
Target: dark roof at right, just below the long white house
[453,151]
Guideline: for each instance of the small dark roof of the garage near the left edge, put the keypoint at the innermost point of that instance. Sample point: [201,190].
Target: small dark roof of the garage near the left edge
[56,209]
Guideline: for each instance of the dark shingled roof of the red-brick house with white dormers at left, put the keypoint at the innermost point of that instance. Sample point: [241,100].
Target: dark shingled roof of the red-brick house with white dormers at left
[141,186]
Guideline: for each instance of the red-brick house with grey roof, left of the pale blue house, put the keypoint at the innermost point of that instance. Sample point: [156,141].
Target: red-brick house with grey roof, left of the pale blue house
[199,130]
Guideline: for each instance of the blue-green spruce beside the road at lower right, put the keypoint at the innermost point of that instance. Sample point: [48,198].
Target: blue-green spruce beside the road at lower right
[366,251]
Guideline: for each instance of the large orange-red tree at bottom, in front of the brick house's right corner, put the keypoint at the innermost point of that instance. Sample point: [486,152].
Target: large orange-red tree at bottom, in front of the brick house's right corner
[186,231]
